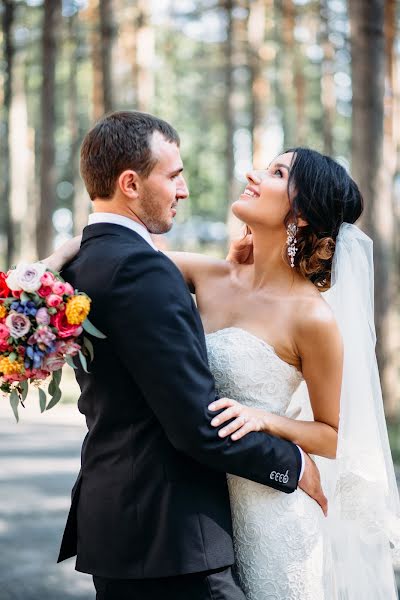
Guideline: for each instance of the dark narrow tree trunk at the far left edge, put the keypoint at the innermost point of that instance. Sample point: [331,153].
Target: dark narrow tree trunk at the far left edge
[9,51]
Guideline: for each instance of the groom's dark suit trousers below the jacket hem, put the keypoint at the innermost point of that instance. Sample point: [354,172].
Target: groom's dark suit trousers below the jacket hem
[219,584]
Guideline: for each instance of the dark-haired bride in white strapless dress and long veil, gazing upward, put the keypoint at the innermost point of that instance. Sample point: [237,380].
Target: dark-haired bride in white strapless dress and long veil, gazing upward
[271,330]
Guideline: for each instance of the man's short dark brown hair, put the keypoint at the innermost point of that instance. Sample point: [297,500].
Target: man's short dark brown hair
[120,141]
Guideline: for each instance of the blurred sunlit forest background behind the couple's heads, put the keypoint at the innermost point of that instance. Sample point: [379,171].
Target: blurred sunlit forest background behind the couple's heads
[239,79]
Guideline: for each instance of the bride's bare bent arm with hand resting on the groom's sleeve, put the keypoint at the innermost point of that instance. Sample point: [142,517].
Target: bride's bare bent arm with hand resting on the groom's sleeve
[320,348]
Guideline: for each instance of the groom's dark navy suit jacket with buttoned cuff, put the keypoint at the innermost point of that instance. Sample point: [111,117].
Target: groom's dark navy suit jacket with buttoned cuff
[151,499]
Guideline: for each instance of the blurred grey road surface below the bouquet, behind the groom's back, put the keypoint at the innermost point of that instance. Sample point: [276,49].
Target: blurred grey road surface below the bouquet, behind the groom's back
[39,463]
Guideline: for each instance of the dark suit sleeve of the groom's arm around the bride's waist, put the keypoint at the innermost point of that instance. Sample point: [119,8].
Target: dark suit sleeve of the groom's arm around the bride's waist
[156,332]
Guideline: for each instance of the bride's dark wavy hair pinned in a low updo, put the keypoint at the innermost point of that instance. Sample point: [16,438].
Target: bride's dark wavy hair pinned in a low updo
[322,193]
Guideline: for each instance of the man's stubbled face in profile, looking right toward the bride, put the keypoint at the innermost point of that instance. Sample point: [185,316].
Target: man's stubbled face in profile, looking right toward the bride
[161,191]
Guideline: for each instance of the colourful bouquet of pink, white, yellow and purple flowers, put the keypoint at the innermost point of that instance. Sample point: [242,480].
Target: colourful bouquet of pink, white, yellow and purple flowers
[42,319]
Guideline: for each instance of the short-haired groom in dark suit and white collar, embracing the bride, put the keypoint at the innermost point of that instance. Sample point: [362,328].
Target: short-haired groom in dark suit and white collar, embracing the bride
[150,515]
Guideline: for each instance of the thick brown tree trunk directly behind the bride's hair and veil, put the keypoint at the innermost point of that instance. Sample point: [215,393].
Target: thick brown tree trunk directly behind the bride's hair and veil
[368,162]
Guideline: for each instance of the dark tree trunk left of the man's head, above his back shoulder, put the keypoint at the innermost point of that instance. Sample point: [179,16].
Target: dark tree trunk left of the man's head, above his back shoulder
[50,39]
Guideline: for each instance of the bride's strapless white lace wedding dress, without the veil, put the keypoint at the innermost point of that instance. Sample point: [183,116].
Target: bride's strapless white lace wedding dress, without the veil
[277,537]
